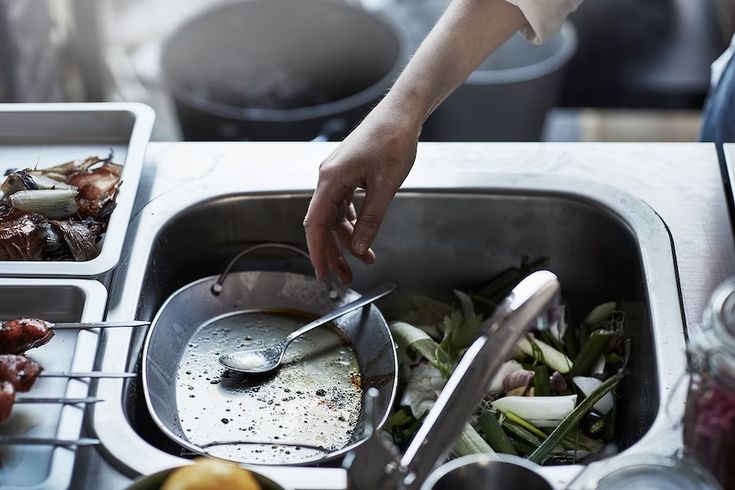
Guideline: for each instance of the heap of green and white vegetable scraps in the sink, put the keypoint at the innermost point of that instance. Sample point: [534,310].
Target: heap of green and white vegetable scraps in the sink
[554,402]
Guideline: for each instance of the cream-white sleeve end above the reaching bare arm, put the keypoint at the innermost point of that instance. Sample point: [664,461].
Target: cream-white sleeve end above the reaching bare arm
[544,17]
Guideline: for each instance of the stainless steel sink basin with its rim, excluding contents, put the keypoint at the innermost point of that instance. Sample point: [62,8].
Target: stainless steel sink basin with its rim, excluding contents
[603,244]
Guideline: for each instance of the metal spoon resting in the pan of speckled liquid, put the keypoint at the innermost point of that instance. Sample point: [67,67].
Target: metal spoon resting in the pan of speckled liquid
[262,360]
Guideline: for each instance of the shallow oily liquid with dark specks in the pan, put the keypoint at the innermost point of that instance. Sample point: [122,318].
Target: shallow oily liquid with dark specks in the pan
[306,409]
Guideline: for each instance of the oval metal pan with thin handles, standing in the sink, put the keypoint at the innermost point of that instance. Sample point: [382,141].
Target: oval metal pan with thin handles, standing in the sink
[209,299]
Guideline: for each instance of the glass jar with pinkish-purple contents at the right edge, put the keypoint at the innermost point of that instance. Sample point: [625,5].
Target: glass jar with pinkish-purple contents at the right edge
[709,421]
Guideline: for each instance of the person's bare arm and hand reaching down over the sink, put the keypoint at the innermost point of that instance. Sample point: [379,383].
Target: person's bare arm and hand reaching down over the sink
[379,153]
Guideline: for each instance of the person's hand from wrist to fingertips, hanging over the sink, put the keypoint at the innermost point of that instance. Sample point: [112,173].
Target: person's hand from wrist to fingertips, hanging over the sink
[376,157]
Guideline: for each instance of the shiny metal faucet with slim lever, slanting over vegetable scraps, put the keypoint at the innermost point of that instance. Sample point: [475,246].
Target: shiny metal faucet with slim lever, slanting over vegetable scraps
[377,462]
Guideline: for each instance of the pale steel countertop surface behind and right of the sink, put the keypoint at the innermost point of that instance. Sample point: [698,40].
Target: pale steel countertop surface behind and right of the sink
[681,182]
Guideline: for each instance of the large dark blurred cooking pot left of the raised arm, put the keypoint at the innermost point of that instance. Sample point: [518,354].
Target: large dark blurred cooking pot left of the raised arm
[279,70]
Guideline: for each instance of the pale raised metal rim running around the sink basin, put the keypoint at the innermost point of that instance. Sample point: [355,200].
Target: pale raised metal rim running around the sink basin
[133,455]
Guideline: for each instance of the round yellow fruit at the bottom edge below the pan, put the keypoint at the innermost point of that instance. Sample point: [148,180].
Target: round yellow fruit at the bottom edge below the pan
[211,474]
